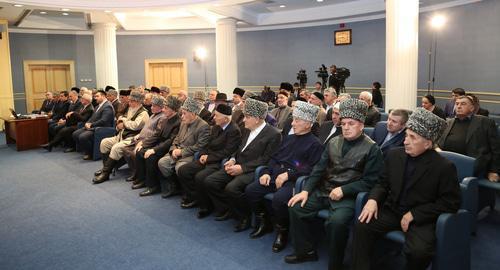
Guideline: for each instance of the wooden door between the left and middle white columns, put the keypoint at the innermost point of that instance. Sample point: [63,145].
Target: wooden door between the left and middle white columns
[167,72]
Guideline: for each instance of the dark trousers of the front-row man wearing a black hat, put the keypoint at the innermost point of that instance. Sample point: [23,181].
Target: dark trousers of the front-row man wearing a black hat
[192,173]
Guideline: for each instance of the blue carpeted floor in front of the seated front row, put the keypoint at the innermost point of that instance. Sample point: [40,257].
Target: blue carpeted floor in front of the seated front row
[52,217]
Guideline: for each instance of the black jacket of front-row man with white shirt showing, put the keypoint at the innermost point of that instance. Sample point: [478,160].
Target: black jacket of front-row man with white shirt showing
[259,151]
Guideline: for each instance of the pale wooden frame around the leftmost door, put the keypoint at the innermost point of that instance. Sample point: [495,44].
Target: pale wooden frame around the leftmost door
[28,79]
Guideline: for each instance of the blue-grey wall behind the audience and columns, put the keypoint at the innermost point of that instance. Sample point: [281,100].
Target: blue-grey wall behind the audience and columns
[468,53]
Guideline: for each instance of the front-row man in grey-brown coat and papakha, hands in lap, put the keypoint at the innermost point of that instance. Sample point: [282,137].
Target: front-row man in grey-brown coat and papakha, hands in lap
[193,136]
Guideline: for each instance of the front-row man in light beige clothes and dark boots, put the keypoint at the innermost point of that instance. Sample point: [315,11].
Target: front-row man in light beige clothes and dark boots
[127,126]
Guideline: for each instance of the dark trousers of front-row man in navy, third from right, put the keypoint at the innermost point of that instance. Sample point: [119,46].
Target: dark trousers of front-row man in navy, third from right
[255,193]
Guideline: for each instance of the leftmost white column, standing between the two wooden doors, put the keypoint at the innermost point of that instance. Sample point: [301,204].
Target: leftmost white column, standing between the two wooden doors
[106,63]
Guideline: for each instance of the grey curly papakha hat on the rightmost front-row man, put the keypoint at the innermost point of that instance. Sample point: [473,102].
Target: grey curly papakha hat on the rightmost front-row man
[426,124]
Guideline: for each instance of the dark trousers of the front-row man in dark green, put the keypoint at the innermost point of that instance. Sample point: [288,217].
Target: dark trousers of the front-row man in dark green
[336,227]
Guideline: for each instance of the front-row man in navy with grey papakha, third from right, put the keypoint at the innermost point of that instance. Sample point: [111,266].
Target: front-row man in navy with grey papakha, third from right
[296,157]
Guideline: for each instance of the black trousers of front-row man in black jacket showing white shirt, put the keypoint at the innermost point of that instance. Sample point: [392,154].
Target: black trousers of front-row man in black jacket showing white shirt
[228,192]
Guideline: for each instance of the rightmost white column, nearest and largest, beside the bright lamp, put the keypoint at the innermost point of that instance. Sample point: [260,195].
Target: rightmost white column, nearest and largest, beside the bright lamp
[401,54]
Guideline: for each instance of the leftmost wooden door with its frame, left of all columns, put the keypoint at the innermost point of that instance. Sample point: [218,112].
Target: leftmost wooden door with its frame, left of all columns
[43,76]
